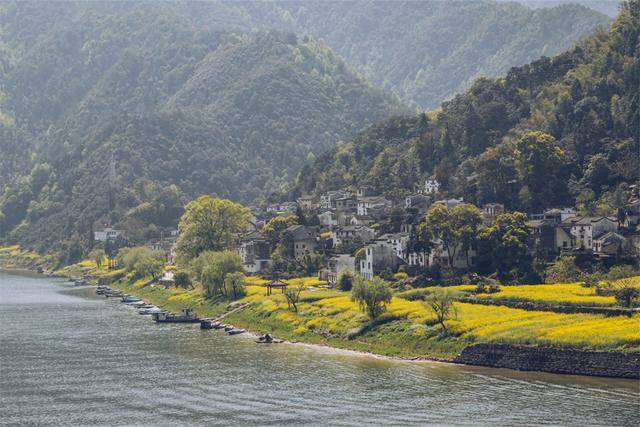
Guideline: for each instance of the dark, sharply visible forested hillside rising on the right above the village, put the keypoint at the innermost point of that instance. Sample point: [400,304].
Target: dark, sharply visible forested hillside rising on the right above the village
[552,133]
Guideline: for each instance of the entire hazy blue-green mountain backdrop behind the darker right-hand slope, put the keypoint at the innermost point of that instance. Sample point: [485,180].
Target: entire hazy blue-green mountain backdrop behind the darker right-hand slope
[117,112]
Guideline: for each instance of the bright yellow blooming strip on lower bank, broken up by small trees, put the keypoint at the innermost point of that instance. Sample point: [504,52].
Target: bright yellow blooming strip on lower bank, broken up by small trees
[477,323]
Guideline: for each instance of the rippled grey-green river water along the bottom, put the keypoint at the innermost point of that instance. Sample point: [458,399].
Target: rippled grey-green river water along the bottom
[70,357]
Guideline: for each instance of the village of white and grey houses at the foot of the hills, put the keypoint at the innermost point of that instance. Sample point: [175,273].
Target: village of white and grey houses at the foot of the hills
[346,232]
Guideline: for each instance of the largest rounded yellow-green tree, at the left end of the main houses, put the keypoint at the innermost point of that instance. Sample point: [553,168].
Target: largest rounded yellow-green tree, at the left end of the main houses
[209,224]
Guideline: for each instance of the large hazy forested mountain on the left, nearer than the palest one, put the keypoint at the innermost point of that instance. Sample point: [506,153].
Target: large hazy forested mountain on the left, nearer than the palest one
[178,110]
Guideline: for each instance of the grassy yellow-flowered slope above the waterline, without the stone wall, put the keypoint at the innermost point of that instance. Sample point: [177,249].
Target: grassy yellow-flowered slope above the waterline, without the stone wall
[408,329]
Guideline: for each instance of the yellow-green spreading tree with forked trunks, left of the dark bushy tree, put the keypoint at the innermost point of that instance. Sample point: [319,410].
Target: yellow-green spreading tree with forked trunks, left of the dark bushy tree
[454,229]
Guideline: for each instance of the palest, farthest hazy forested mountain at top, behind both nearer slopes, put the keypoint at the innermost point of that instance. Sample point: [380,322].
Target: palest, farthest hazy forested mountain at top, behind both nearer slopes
[426,51]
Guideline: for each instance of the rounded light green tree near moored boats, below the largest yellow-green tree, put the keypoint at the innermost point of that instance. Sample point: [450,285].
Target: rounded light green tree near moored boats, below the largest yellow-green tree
[211,268]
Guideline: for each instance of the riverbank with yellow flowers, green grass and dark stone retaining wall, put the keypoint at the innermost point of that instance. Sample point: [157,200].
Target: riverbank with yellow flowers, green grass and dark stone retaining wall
[328,318]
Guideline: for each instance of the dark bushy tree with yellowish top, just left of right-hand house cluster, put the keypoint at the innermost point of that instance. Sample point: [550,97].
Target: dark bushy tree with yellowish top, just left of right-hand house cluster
[503,244]
